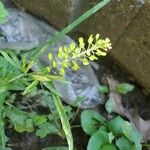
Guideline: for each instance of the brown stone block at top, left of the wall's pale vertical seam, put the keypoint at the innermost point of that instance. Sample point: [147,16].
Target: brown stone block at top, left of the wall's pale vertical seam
[56,12]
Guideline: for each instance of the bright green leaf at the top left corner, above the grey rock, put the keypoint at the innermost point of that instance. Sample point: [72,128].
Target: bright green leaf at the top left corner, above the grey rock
[3,12]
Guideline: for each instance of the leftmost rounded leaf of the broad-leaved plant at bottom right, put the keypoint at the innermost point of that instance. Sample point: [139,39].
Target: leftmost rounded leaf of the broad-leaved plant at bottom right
[90,121]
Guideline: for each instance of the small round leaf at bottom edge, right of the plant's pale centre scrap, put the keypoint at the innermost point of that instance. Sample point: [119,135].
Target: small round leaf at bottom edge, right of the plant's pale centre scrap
[123,144]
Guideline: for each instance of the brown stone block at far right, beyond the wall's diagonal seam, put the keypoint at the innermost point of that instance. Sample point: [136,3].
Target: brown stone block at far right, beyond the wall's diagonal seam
[133,49]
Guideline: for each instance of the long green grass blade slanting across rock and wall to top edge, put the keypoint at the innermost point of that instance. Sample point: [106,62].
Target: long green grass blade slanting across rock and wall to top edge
[38,51]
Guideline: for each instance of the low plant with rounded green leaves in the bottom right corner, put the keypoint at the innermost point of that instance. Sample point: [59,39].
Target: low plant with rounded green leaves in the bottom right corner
[109,134]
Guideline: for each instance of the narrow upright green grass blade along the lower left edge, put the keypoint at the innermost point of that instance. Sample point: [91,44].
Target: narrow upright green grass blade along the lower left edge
[2,130]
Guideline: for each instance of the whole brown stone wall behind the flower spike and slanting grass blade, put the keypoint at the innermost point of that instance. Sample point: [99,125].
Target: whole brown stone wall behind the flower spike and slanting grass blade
[125,22]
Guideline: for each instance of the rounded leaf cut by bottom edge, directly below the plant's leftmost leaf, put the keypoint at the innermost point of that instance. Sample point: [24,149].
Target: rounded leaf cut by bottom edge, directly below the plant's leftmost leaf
[98,139]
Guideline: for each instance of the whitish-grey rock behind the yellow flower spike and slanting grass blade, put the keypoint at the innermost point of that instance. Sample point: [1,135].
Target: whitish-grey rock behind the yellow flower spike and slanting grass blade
[21,31]
